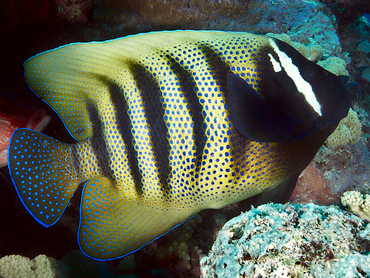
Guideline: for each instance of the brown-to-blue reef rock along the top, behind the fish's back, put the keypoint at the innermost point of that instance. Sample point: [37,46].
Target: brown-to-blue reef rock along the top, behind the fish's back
[305,21]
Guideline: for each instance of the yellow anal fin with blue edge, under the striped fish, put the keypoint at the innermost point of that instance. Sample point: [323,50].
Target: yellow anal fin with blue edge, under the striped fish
[112,226]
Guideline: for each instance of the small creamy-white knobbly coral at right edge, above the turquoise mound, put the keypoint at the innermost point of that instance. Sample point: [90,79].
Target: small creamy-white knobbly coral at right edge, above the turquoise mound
[357,203]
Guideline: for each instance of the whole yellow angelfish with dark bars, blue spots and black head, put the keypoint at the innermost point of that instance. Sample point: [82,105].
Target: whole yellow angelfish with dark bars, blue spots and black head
[168,124]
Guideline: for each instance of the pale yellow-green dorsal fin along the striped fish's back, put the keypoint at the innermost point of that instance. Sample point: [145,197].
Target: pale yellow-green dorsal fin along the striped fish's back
[70,76]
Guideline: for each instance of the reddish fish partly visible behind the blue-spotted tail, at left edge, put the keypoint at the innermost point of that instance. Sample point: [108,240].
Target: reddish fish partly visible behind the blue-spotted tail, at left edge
[15,113]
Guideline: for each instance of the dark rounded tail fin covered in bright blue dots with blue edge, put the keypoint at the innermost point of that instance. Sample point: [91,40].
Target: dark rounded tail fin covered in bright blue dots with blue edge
[42,173]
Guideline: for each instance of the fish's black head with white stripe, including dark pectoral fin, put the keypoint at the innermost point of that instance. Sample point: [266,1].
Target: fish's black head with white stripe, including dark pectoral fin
[295,97]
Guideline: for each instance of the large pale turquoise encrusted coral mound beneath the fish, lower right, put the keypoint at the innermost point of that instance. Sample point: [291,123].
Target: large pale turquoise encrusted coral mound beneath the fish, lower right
[277,240]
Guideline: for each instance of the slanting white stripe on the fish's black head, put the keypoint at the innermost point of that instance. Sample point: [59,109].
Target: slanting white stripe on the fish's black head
[293,72]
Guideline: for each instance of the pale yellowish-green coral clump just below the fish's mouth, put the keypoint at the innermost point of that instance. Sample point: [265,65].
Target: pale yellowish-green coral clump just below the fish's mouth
[347,132]
